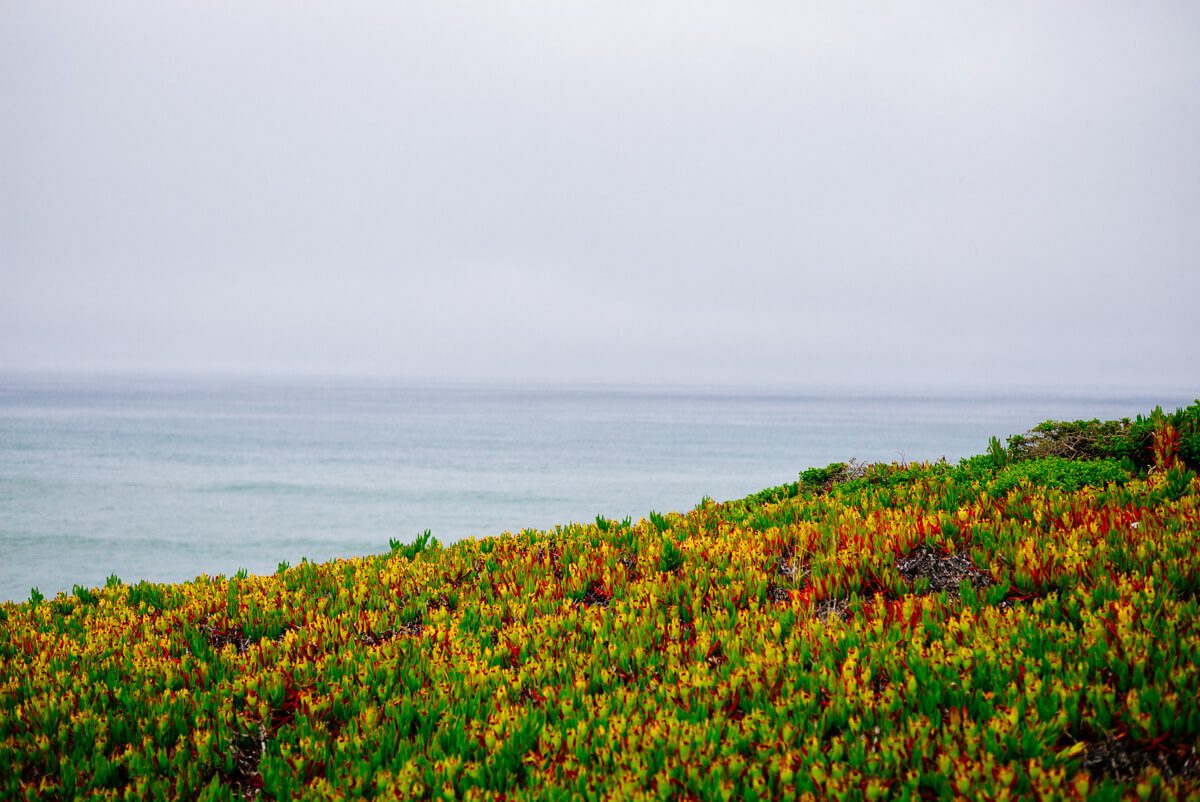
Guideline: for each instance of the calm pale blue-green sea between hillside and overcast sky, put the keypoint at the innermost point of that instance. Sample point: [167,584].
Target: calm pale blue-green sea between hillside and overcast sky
[165,480]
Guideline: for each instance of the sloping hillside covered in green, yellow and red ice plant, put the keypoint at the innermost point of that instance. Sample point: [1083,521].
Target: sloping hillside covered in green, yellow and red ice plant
[1024,625]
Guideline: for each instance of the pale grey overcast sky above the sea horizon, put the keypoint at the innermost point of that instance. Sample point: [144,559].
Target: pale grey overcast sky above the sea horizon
[705,193]
